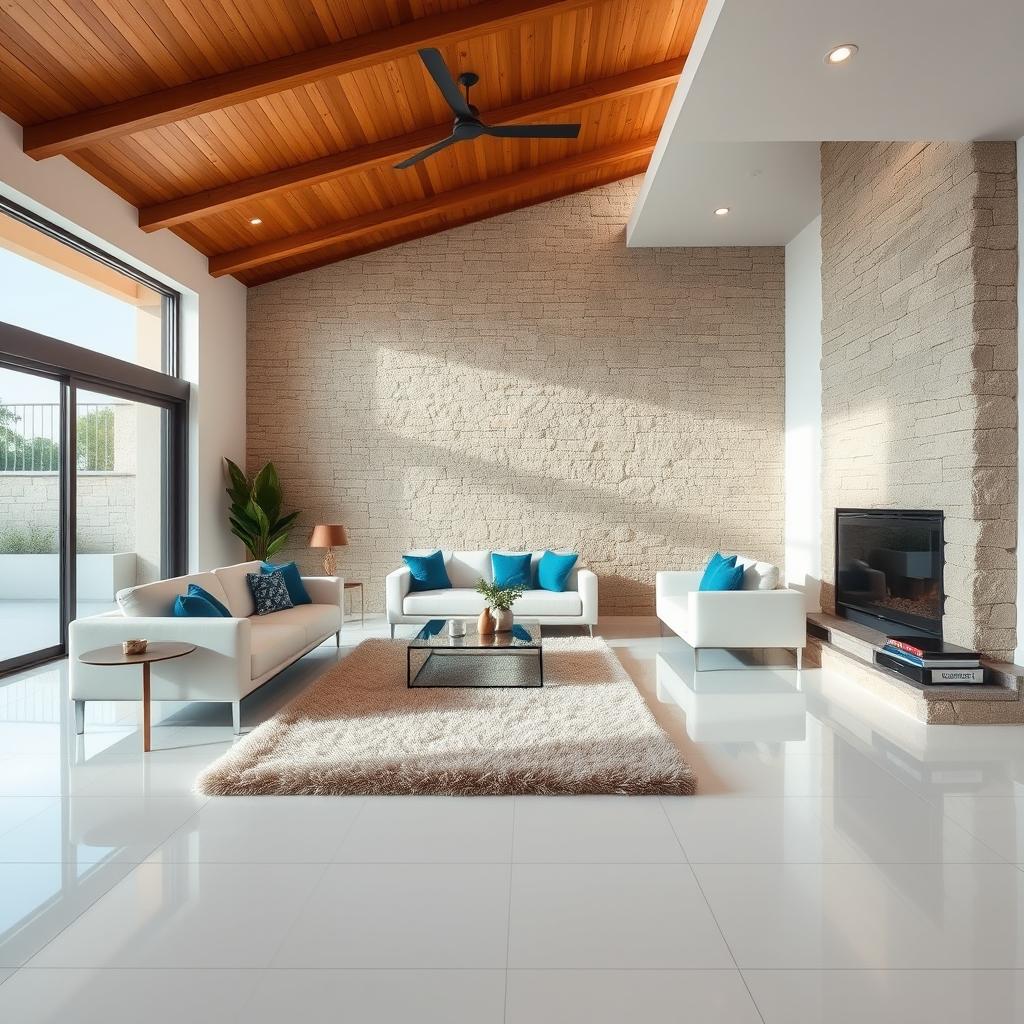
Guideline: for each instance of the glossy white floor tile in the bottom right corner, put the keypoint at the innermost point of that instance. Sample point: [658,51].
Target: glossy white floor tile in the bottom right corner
[888,997]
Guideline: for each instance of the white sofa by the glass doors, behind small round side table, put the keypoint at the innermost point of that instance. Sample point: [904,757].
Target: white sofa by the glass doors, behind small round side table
[234,657]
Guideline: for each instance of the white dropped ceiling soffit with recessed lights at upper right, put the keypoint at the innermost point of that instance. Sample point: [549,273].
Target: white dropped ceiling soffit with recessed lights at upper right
[925,70]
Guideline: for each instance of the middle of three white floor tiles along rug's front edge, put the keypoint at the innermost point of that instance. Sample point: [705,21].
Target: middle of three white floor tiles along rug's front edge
[423,830]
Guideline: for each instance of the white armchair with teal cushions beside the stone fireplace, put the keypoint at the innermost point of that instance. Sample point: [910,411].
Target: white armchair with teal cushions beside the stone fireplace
[759,616]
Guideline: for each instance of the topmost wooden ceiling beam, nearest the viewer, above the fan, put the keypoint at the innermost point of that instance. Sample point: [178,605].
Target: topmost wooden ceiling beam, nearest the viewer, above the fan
[178,103]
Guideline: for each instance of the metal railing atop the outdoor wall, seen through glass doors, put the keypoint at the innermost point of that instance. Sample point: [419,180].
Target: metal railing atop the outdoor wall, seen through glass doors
[30,438]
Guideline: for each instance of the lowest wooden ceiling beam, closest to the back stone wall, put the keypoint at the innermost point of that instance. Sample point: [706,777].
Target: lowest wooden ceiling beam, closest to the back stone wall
[408,214]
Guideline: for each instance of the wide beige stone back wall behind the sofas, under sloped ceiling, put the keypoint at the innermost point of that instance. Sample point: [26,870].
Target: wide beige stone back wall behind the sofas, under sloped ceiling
[525,382]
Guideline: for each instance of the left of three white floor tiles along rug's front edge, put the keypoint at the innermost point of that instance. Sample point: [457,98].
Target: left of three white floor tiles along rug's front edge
[262,830]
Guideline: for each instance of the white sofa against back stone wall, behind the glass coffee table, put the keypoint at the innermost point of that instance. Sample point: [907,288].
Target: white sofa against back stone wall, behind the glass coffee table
[576,607]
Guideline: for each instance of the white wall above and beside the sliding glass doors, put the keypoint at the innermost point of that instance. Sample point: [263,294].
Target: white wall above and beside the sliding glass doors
[214,323]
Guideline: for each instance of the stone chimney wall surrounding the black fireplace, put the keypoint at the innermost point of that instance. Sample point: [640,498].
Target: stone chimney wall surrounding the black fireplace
[920,359]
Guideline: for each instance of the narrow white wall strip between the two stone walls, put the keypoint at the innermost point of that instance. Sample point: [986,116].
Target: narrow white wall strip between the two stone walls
[803,413]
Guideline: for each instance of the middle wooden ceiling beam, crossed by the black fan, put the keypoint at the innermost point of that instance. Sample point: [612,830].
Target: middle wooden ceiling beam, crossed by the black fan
[388,152]
